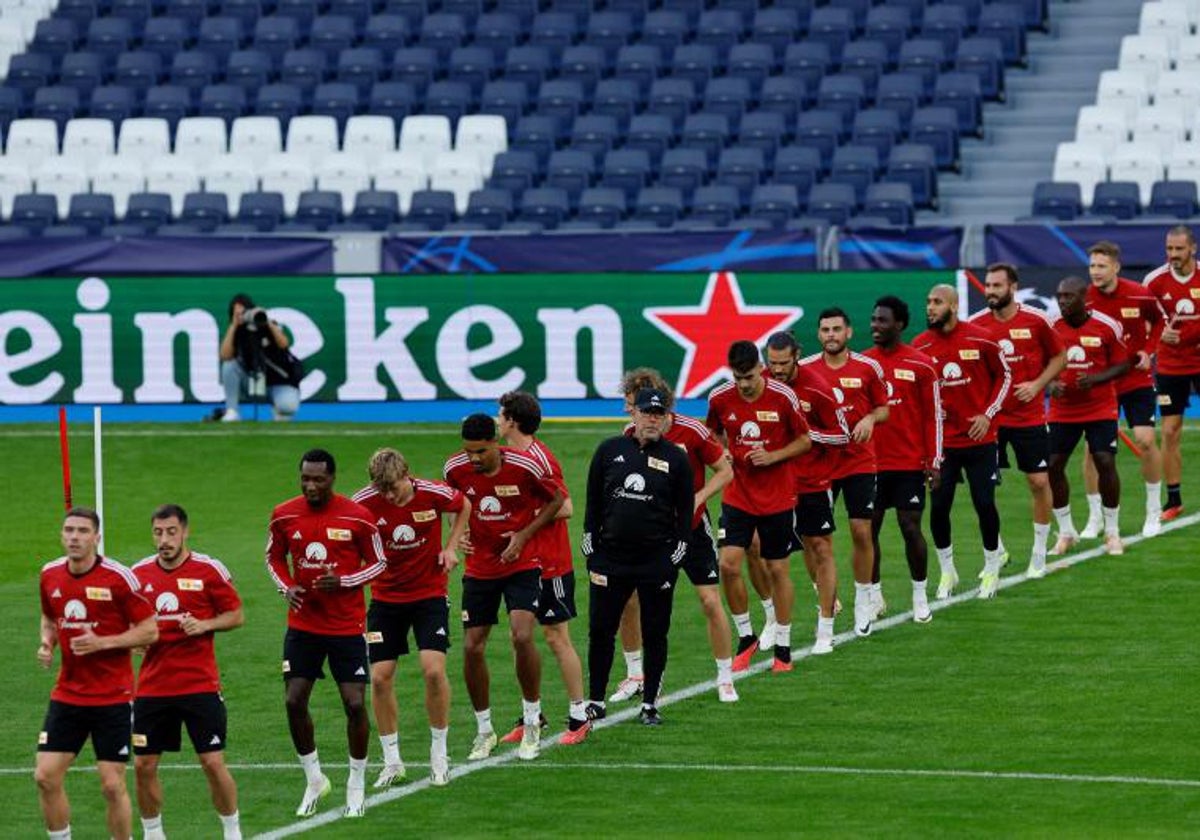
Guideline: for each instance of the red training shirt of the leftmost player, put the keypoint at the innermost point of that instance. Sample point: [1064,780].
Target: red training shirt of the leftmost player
[107,601]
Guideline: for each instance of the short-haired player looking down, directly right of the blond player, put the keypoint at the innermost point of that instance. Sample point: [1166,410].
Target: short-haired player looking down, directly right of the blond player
[512,500]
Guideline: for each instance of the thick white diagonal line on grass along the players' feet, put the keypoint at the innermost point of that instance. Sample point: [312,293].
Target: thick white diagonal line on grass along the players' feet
[335,814]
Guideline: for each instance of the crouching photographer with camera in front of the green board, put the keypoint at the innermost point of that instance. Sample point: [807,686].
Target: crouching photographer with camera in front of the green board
[256,362]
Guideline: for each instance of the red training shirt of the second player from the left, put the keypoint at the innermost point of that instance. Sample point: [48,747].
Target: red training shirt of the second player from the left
[179,664]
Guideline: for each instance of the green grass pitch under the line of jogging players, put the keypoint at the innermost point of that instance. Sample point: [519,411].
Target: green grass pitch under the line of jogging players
[1091,673]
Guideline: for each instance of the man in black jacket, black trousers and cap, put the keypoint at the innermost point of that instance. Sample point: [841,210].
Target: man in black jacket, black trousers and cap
[635,535]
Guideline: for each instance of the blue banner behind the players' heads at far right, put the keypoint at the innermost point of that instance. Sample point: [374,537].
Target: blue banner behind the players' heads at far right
[1066,245]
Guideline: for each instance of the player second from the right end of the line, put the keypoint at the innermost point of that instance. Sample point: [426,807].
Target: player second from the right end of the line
[1138,313]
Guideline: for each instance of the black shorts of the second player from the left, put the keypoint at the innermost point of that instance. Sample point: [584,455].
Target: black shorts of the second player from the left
[158,723]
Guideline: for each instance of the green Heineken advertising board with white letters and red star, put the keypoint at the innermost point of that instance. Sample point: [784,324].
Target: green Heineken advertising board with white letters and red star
[155,340]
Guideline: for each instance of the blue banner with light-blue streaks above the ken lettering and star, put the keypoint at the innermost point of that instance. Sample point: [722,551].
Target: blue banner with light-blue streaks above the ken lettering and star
[677,251]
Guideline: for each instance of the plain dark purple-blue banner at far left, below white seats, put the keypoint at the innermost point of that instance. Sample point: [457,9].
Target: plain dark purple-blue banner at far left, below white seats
[166,256]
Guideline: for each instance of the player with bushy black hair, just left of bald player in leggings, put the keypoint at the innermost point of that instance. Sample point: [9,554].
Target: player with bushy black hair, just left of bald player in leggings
[909,446]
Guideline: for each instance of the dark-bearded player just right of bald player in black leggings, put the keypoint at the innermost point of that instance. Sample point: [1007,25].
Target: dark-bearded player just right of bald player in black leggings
[1035,356]
